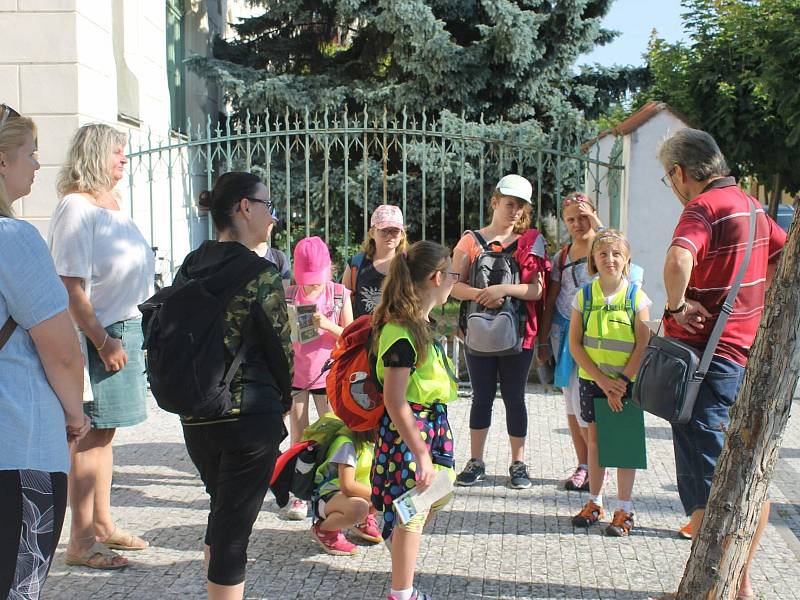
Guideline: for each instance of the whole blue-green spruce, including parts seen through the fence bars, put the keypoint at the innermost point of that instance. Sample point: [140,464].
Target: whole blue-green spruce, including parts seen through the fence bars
[489,68]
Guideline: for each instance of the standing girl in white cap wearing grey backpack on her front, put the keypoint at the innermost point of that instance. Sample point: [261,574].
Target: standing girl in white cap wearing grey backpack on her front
[508,235]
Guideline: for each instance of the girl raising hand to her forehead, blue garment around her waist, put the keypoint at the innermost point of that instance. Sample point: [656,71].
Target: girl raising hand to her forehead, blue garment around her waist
[569,274]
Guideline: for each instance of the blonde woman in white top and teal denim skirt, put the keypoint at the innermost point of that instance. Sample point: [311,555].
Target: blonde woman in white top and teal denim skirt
[107,267]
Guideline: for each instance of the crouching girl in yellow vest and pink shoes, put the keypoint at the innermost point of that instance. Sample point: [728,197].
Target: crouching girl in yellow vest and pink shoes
[342,492]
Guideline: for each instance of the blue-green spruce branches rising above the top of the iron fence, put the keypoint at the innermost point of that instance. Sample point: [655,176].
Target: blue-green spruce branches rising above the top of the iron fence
[500,58]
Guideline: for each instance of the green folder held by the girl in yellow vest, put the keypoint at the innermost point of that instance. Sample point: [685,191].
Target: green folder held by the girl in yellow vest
[620,436]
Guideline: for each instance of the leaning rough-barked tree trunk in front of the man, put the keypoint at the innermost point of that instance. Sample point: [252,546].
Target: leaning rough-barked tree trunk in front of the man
[758,420]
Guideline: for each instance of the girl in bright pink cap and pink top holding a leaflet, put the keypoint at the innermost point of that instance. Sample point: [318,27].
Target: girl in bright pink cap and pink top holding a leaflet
[312,274]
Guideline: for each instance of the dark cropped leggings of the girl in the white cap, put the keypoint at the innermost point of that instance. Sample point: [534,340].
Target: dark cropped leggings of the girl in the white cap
[512,371]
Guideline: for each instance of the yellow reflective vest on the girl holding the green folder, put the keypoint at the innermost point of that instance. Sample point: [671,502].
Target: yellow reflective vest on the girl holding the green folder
[608,334]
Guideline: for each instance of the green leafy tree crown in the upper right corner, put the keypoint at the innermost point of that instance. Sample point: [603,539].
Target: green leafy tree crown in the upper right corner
[737,79]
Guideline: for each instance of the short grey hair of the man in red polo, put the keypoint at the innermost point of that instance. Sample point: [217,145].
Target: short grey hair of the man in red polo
[695,151]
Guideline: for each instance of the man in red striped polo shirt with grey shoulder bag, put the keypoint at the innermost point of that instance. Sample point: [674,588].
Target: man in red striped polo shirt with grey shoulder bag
[707,249]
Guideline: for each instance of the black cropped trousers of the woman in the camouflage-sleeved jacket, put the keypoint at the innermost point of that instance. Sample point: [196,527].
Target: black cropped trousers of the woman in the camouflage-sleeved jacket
[235,460]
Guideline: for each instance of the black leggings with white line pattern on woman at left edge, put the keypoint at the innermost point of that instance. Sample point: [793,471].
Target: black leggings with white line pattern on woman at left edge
[32,506]
